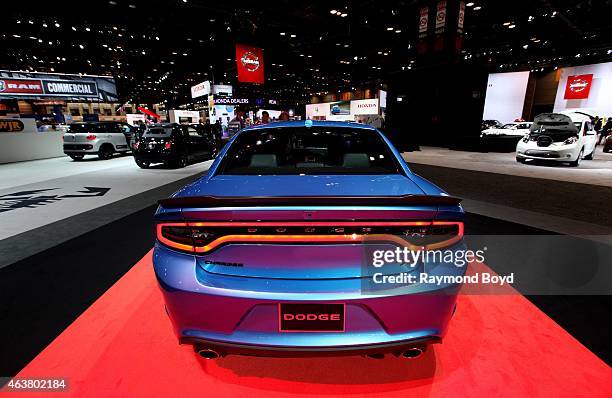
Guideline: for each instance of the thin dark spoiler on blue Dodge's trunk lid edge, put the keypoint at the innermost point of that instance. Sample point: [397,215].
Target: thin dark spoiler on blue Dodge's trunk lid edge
[246,201]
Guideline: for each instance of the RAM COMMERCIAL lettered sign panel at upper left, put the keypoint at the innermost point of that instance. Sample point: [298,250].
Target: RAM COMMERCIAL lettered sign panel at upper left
[48,88]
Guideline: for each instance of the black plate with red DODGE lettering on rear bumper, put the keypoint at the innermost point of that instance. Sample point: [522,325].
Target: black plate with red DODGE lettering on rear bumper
[311,317]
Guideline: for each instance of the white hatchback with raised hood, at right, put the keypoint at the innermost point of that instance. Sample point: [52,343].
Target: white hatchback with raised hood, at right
[568,137]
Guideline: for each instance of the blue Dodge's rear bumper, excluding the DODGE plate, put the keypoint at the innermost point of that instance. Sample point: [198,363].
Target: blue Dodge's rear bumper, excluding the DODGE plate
[241,315]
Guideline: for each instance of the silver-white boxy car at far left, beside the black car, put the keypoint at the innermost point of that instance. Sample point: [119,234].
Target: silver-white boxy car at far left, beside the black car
[97,138]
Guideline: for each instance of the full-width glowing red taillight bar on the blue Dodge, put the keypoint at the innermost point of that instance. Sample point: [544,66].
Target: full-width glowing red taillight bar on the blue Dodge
[203,237]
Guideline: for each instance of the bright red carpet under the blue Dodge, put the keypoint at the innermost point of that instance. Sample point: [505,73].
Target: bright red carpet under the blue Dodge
[497,345]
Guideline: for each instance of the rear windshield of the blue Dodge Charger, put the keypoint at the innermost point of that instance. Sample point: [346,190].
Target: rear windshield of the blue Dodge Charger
[315,150]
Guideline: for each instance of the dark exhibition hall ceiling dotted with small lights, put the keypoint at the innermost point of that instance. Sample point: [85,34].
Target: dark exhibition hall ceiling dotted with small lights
[158,49]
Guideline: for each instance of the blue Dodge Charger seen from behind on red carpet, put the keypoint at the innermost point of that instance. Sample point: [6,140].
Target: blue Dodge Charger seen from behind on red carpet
[269,253]
